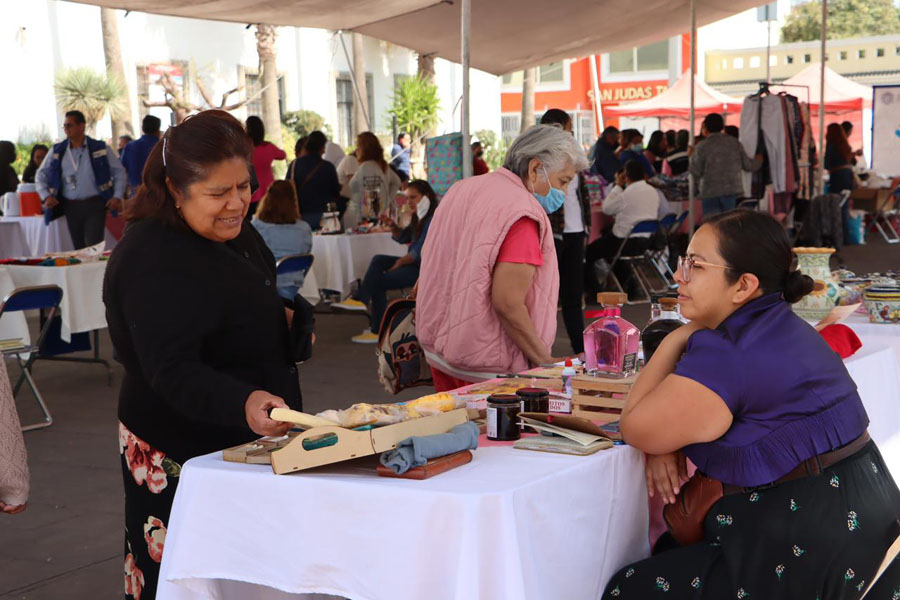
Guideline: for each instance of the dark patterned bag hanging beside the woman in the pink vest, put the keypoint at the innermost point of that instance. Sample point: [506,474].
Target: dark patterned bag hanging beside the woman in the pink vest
[401,362]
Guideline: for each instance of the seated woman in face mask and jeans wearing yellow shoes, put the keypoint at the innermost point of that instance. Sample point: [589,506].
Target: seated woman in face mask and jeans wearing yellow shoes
[389,272]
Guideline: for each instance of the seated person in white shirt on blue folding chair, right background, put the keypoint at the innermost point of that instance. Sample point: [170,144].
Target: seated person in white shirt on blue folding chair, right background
[630,201]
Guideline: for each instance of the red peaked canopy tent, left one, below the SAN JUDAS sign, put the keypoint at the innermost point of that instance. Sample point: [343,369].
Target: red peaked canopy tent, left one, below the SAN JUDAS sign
[676,102]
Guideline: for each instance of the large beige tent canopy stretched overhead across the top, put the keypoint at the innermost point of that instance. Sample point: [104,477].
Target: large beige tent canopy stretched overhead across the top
[506,34]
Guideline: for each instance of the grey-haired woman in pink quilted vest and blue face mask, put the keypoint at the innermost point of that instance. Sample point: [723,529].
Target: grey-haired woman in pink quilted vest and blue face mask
[489,283]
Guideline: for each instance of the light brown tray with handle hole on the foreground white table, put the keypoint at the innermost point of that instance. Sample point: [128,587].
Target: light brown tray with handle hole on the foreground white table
[328,445]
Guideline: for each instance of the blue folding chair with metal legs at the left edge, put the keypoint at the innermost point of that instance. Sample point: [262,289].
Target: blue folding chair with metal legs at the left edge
[44,297]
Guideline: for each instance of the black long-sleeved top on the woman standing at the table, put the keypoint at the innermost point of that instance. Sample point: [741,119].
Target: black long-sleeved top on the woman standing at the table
[198,326]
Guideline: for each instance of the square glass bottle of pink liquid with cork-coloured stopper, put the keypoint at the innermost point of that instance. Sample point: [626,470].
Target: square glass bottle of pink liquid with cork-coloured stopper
[611,343]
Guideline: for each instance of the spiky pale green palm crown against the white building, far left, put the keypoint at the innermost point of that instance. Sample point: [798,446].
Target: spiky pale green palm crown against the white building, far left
[92,93]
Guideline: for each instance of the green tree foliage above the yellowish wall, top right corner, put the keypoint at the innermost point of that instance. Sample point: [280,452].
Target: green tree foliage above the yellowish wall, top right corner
[846,19]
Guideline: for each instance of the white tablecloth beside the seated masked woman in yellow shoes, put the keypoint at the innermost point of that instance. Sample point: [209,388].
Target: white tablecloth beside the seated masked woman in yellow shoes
[342,259]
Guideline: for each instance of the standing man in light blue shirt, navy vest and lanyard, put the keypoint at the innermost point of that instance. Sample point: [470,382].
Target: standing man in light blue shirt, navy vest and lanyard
[81,178]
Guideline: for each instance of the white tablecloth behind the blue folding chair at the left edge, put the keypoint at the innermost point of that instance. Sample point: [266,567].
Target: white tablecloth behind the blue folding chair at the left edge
[81,308]
